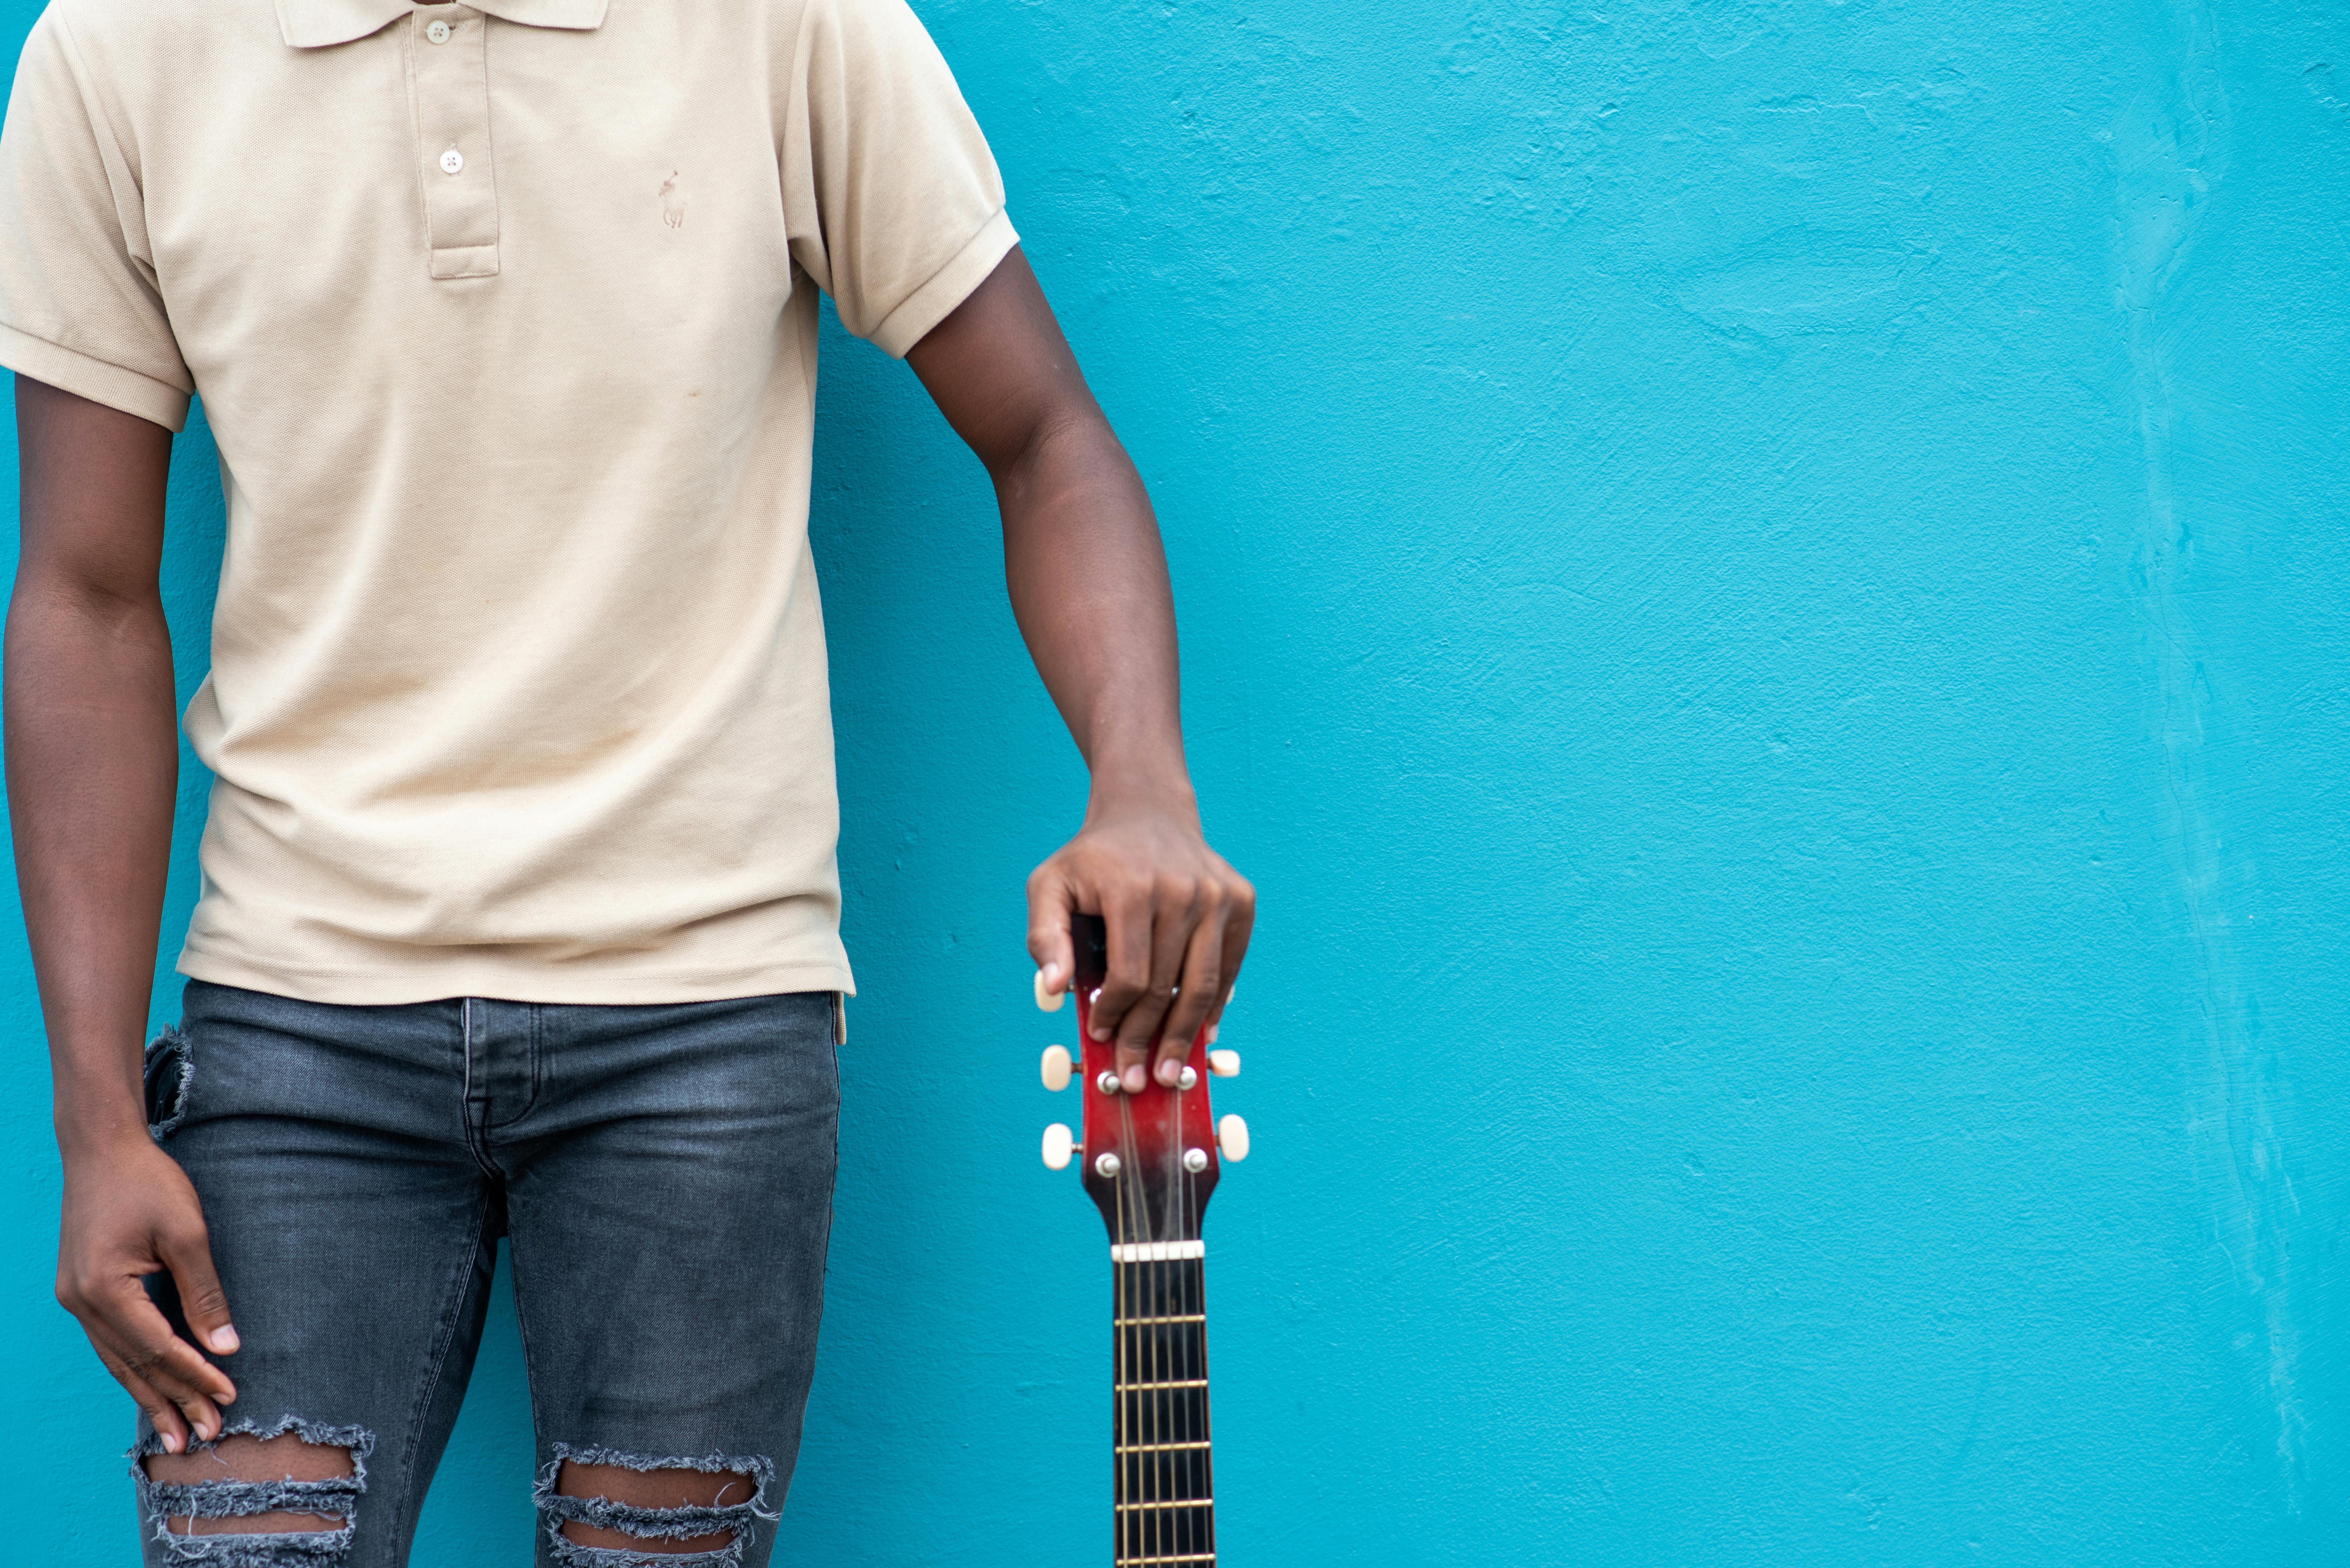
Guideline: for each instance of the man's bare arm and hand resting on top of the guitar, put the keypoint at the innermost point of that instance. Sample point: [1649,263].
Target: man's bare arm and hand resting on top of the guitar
[1092,594]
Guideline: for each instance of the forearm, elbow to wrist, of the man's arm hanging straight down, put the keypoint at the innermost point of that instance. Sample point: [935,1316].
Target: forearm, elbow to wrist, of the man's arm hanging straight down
[93,765]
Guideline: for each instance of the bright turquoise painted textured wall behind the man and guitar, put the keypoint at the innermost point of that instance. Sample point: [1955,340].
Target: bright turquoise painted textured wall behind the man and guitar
[1764,598]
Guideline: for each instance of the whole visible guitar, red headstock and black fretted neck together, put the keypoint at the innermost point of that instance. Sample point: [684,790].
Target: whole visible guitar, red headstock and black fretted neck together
[1150,1162]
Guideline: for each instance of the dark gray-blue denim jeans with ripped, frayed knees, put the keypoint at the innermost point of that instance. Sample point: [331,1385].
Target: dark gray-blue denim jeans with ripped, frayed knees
[666,1184]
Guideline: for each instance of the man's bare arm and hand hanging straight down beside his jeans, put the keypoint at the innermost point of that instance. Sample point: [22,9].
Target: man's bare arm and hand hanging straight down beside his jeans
[93,763]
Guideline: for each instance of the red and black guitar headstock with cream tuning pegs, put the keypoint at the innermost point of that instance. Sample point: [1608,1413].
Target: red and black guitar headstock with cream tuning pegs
[1150,1160]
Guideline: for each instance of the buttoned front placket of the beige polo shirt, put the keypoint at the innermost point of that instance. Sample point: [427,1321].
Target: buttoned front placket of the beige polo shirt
[450,83]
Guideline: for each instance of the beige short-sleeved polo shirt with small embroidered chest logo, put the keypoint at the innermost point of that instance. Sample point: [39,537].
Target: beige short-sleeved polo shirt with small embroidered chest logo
[504,323]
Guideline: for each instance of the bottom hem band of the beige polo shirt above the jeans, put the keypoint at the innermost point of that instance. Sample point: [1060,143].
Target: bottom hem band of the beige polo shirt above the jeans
[502,981]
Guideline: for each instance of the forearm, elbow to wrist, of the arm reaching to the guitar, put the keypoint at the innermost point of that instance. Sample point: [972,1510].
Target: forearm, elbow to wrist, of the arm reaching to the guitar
[1089,587]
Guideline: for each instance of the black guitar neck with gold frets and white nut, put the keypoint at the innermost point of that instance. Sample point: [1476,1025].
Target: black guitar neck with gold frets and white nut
[1160,1428]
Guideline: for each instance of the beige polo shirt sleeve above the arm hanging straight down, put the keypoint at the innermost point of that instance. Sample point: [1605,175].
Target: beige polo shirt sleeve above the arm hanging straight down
[79,295]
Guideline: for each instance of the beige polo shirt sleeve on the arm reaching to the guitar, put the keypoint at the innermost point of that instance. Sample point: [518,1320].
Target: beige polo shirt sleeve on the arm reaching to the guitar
[892,199]
